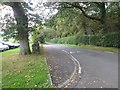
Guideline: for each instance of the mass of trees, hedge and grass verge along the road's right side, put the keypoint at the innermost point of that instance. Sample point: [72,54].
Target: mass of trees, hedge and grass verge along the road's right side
[84,31]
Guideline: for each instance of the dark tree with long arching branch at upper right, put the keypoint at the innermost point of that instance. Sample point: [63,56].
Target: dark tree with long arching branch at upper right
[98,11]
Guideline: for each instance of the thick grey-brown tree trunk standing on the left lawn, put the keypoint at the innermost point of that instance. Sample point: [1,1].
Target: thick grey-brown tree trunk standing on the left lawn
[22,27]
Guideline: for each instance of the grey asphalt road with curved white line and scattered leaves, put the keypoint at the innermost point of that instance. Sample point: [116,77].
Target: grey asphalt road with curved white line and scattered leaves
[97,69]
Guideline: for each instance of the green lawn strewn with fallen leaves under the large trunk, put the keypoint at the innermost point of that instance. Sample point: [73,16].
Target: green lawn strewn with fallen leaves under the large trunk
[29,71]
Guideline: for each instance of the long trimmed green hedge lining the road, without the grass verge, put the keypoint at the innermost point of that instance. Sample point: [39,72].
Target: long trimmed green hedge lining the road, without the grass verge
[107,40]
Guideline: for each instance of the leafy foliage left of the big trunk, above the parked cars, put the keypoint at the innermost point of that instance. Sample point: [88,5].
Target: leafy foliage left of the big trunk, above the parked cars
[9,28]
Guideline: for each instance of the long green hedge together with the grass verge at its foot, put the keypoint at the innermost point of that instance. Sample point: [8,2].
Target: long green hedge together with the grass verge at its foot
[107,42]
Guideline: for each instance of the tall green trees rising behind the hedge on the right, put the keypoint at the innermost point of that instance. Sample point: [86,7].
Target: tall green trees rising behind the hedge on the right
[75,18]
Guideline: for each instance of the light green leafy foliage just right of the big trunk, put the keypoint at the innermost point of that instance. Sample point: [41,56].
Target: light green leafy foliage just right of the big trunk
[40,32]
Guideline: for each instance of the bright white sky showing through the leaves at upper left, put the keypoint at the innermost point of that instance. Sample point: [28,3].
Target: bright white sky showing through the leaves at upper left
[42,11]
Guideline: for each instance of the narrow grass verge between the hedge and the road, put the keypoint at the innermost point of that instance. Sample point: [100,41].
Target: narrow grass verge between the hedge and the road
[97,48]
